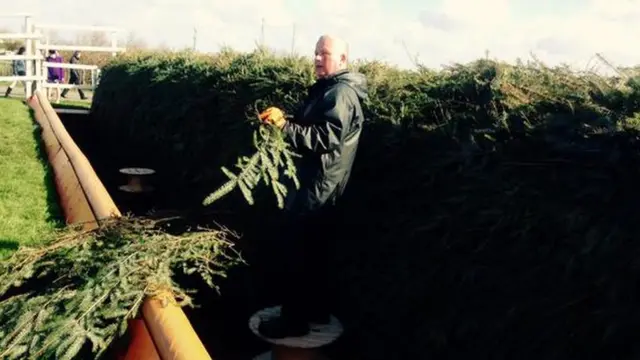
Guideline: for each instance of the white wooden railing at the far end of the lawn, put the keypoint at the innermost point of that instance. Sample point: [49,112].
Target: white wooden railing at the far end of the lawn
[35,58]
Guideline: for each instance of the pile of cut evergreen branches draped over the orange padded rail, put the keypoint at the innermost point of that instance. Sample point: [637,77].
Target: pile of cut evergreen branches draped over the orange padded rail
[92,282]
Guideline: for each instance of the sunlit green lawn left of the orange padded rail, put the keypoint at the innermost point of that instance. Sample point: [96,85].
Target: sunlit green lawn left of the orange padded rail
[29,211]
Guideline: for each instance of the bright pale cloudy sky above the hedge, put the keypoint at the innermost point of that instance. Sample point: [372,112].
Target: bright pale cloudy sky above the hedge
[432,32]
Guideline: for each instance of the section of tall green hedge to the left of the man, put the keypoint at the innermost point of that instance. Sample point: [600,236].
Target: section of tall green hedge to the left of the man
[195,107]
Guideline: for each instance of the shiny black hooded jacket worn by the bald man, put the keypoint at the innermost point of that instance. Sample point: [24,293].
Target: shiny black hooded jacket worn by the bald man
[326,131]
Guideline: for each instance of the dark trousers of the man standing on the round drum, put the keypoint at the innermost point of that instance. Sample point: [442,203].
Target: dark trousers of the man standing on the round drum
[306,246]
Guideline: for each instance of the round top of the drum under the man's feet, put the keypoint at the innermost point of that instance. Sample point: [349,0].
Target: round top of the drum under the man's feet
[320,334]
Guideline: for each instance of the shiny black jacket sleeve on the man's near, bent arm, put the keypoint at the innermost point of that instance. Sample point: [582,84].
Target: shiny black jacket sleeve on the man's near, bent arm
[326,132]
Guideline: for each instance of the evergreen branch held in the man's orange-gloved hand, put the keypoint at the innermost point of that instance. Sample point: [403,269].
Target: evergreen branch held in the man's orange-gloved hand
[265,165]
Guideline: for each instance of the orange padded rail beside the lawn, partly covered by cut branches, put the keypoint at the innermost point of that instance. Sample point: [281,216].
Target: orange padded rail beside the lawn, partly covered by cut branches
[164,332]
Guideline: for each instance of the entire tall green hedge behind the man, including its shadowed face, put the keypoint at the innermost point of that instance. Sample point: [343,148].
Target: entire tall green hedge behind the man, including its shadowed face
[492,211]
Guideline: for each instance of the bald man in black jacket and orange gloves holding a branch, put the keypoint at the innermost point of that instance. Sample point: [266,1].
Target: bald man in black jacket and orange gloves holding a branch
[326,132]
